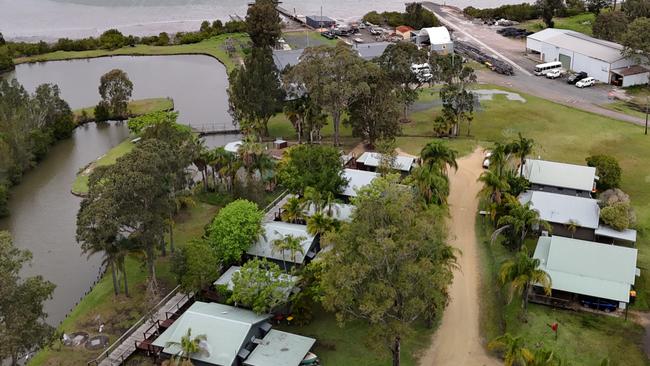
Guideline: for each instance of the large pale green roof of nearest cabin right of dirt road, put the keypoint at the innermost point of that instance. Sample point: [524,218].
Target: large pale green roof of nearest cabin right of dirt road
[588,268]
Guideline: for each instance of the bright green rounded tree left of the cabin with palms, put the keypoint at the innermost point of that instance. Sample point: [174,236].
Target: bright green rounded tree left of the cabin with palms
[234,230]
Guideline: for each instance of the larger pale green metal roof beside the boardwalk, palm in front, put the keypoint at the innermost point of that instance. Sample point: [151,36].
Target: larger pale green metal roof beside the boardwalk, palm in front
[225,327]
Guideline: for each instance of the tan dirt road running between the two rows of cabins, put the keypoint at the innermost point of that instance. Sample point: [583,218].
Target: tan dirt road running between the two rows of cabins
[457,342]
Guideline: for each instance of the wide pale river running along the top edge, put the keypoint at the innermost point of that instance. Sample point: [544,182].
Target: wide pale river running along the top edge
[52,19]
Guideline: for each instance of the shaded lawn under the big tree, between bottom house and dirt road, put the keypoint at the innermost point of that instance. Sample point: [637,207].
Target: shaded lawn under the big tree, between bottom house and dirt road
[348,345]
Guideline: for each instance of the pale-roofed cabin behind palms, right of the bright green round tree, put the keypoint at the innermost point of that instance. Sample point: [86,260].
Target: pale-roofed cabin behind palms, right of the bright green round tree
[263,247]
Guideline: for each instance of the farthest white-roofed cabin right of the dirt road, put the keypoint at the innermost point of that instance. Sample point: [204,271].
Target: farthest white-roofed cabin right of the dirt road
[561,178]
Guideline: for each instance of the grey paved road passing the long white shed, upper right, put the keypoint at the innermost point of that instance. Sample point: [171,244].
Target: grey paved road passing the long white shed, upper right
[514,52]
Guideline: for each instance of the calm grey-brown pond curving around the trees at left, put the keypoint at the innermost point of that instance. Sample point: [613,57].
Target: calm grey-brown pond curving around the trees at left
[43,212]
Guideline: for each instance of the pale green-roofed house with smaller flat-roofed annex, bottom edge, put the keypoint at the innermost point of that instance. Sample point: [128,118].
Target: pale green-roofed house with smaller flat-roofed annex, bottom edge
[233,337]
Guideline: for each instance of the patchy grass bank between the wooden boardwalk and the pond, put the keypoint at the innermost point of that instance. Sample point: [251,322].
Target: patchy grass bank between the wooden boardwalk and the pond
[118,313]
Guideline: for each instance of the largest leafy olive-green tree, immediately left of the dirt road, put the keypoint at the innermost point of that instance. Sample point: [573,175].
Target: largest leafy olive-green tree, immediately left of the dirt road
[390,266]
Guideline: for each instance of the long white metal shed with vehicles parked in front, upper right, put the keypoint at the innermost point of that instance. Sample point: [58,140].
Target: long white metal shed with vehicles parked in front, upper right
[600,59]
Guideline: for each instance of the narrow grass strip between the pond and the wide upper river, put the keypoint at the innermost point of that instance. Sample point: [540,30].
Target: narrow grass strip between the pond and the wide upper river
[211,47]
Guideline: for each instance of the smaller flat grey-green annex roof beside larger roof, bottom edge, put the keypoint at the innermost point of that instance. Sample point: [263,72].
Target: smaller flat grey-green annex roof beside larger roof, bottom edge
[280,349]
